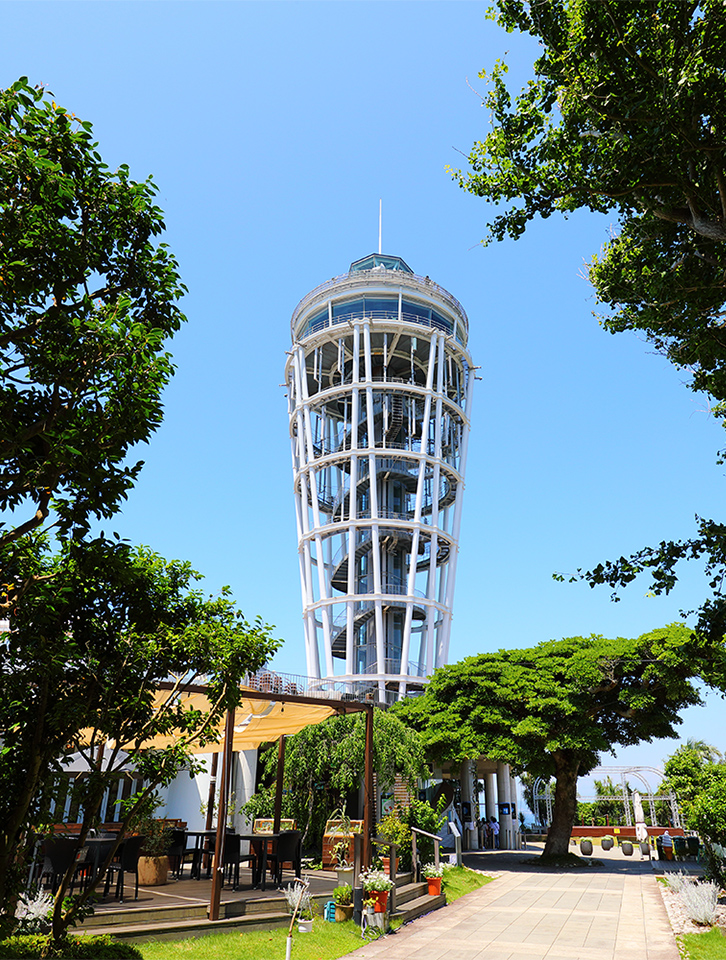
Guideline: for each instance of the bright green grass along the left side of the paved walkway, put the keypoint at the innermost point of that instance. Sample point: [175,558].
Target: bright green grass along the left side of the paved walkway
[328,941]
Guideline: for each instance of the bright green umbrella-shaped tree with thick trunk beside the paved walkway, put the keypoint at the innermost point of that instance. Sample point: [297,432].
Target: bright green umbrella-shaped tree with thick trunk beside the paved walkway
[552,709]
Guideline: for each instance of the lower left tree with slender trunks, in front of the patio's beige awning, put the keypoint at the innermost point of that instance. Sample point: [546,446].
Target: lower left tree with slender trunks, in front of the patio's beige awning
[101,627]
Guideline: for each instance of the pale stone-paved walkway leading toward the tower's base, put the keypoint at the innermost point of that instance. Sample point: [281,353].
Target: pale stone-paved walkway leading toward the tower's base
[610,913]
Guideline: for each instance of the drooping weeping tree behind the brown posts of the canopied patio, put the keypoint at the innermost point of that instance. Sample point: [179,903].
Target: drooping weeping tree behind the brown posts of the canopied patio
[325,764]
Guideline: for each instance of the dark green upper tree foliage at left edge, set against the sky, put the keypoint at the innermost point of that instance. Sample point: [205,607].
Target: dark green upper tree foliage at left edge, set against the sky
[87,303]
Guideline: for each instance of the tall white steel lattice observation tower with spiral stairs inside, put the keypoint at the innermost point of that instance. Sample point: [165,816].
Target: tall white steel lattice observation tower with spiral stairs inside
[380,388]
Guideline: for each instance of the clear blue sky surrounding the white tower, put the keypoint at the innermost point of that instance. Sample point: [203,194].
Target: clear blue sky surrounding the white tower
[272,129]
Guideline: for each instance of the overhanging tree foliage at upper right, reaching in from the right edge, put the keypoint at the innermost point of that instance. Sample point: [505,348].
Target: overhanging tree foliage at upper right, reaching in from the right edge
[626,115]
